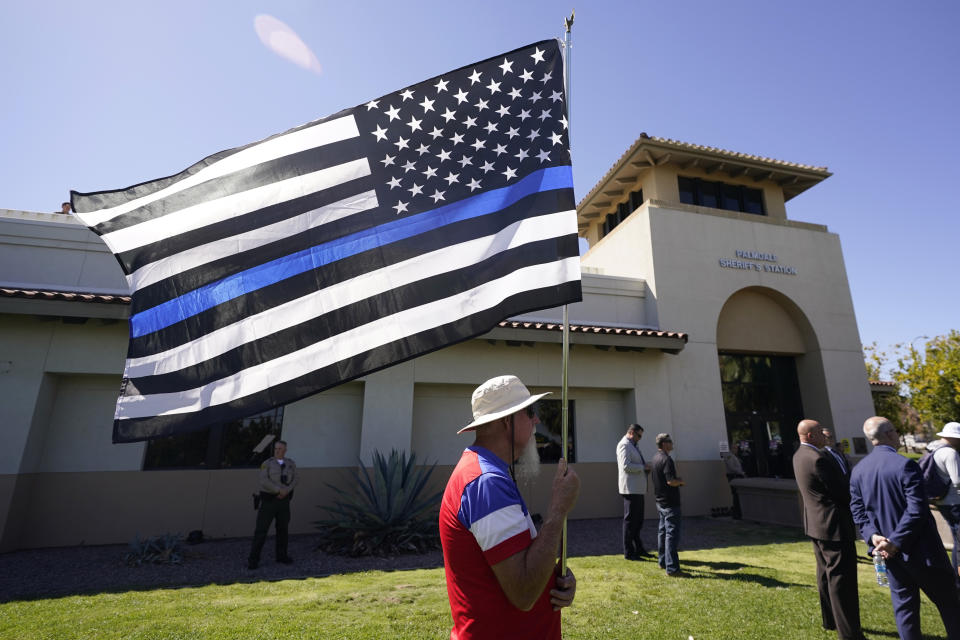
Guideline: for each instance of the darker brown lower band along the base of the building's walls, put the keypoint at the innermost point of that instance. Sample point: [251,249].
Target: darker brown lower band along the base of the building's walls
[73,508]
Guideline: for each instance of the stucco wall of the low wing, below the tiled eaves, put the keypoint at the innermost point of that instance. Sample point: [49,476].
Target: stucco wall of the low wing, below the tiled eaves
[68,484]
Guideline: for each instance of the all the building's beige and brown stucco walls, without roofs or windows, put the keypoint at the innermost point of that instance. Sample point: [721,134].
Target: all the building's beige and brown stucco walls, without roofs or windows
[63,482]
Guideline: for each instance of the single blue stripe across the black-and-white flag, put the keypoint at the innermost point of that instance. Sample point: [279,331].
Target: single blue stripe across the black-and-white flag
[234,286]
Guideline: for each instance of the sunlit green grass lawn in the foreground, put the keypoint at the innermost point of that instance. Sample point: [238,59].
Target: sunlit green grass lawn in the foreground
[751,591]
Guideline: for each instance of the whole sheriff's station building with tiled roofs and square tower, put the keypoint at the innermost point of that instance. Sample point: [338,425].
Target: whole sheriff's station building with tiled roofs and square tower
[707,314]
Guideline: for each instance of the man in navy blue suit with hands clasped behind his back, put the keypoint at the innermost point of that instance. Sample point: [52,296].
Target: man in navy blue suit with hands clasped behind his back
[890,507]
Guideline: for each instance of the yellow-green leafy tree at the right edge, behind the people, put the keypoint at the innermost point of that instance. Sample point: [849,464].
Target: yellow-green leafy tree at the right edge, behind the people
[932,378]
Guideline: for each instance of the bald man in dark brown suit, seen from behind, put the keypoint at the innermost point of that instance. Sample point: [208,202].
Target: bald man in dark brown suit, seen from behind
[829,524]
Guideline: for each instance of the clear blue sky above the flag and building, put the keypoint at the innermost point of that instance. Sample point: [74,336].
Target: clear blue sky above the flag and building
[104,94]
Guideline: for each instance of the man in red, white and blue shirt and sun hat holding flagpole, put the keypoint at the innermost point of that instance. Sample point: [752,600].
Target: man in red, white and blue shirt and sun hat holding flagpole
[502,578]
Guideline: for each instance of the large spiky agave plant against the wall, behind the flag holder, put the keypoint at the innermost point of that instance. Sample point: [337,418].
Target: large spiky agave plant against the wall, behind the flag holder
[384,511]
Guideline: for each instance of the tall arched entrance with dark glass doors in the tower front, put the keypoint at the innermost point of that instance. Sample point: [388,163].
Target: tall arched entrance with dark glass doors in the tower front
[761,335]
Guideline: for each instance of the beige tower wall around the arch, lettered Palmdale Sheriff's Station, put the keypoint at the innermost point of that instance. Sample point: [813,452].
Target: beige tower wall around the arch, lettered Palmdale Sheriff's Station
[678,252]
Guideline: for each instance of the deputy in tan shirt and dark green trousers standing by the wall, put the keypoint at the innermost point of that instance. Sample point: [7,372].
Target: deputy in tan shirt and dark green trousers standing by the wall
[278,477]
